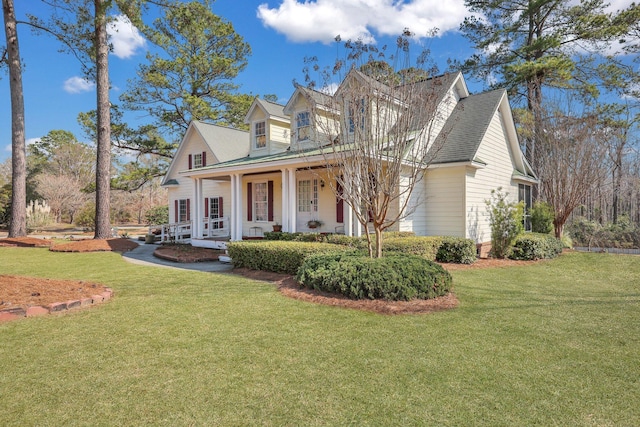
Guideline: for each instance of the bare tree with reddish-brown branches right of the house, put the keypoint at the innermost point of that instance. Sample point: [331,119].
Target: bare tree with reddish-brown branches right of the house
[572,154]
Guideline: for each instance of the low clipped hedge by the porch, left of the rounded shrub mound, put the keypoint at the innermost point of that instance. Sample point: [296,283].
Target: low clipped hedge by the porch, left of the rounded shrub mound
[279,257]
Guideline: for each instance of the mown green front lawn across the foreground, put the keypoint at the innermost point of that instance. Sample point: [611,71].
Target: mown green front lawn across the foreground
[555,343]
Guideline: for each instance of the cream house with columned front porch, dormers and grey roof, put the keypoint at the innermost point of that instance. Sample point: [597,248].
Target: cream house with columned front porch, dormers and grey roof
[227,183]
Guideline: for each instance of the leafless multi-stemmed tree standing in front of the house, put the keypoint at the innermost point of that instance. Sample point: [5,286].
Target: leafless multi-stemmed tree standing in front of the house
[377,139]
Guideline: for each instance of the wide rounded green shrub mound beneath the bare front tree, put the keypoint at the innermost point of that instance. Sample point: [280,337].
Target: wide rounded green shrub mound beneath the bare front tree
[394,277]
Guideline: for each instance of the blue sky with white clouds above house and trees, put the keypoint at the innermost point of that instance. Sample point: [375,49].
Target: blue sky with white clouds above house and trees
[281,34]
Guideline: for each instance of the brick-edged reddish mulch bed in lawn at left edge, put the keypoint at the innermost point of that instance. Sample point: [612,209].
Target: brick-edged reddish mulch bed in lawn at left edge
[22,291]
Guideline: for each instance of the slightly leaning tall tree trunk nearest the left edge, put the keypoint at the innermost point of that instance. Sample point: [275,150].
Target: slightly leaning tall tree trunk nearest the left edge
[18,221]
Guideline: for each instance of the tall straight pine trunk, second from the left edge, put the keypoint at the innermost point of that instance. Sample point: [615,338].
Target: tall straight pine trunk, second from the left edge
[103,163]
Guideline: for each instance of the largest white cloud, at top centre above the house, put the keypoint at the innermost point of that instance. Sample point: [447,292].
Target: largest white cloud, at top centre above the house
[322,20]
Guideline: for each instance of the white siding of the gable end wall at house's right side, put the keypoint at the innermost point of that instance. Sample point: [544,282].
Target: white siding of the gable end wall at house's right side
[494,151]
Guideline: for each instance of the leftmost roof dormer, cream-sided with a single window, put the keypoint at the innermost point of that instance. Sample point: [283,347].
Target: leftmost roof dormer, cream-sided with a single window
[269,128]
